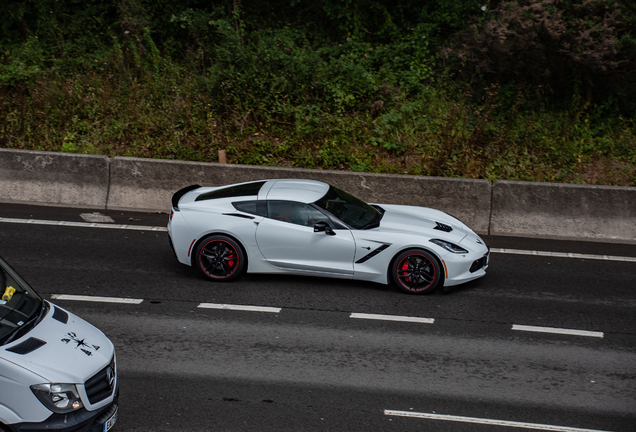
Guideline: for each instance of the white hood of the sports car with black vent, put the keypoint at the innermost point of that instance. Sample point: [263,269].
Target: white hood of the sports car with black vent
[420,220]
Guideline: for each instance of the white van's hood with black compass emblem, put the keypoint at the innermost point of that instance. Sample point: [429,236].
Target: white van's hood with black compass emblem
[73,351]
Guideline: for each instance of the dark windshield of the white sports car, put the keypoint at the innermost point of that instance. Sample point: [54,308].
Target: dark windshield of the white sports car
[349,209]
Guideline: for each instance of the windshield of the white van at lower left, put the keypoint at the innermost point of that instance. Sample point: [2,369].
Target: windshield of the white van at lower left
[19,304]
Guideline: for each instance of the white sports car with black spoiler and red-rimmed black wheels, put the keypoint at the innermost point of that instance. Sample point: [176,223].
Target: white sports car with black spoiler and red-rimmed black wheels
[307,227]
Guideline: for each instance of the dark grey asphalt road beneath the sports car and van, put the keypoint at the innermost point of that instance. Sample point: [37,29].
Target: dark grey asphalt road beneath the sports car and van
[312,366]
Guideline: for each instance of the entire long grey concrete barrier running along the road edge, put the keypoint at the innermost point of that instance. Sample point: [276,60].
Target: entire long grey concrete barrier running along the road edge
[548,210]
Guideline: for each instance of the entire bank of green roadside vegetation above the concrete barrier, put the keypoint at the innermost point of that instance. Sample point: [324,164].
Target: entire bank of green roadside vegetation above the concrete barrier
[535,90]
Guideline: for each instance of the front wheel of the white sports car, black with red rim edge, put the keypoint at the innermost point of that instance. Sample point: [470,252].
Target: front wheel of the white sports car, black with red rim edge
[416,271]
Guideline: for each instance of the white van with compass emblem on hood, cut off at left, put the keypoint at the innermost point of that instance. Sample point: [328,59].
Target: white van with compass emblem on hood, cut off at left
[57,372]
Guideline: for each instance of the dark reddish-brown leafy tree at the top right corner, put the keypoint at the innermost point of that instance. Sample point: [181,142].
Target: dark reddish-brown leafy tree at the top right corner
[570,51]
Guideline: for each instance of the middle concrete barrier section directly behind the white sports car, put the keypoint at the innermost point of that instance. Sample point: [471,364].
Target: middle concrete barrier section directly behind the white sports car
[148,184]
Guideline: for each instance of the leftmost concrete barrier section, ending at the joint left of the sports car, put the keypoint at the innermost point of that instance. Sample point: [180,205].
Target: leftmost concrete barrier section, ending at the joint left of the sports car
[56,179]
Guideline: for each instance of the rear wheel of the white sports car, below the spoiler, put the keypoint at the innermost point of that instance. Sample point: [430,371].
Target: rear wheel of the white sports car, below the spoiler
[219,258]
